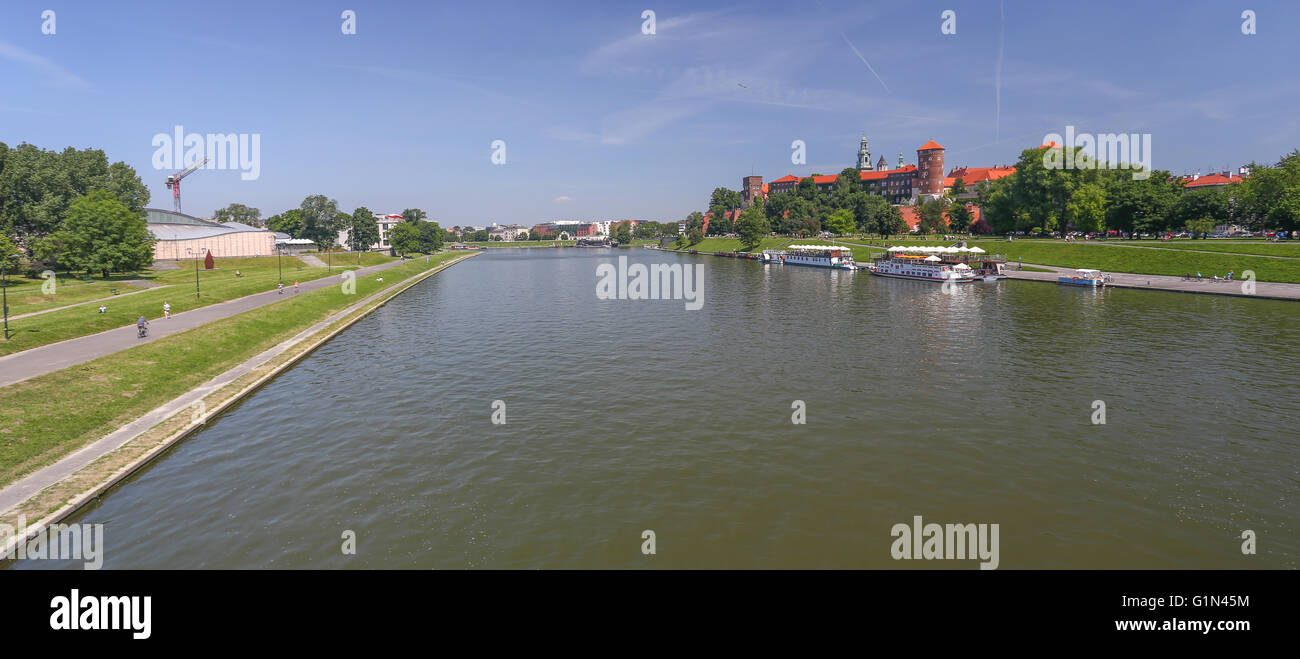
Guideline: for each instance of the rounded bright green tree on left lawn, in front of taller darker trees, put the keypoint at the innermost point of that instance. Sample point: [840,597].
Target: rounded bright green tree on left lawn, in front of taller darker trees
[101,235]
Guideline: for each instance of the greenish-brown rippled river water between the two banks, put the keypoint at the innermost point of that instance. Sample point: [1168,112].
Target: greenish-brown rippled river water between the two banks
[632,415]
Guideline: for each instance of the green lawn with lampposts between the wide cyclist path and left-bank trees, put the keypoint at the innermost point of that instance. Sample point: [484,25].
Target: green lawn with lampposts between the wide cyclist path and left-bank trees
[215,287]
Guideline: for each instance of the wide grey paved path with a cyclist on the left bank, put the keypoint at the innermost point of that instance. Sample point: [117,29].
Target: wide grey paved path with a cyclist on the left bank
[57,357]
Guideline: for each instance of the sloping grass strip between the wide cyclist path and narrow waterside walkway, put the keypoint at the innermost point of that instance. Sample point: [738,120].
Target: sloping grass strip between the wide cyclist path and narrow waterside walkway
[49,417]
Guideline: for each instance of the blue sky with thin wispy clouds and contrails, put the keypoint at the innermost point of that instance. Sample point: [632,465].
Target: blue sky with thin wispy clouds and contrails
[603,122]
